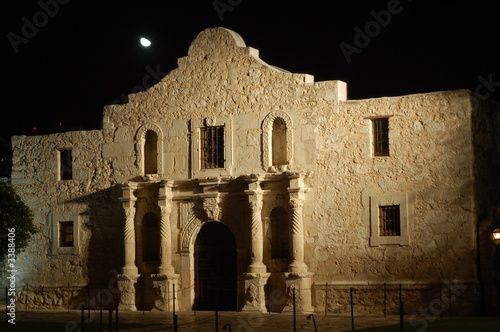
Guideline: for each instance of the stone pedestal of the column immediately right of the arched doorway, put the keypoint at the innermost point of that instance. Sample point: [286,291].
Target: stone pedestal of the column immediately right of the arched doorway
[255,297]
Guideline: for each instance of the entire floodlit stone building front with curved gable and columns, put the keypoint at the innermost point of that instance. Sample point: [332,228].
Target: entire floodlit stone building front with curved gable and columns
[295,181]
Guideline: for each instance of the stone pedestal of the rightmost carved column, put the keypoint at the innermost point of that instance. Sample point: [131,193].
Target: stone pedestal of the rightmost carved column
[302,283]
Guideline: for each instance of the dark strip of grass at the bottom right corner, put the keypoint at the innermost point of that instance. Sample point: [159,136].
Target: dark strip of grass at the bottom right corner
[458,324]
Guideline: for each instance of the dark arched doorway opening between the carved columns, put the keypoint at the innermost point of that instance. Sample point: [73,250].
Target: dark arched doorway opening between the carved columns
[215,268]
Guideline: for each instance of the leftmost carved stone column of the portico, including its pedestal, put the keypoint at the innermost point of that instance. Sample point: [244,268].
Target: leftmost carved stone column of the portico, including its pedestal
[129,276]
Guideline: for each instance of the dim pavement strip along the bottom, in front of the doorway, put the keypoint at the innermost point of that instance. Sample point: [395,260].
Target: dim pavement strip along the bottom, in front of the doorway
[194,321]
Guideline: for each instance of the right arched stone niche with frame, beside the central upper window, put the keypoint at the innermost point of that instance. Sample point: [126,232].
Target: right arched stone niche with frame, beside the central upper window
[279,158]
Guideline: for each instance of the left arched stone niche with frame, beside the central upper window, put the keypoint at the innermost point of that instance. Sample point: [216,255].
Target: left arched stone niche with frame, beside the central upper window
[145,140]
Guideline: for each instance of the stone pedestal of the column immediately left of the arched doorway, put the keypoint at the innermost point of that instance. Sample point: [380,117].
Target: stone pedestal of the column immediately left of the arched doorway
[165,284]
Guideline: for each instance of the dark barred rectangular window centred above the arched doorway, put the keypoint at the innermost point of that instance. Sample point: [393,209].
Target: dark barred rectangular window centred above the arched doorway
[212,147]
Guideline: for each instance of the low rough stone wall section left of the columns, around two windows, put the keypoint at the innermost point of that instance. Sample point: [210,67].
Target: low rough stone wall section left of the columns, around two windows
[89,197]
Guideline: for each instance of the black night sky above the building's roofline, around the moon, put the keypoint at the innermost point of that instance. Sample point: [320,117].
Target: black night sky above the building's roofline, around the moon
[65,60]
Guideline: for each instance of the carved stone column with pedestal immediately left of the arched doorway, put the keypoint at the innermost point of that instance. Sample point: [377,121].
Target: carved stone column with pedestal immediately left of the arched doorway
[166,281]
